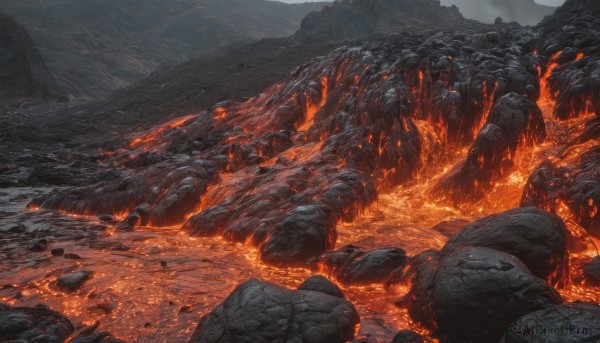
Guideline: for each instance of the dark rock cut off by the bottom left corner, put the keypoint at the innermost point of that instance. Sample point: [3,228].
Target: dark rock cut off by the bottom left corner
[33,324]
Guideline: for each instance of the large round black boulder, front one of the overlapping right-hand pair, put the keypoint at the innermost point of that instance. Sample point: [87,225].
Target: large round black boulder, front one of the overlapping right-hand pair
[486,288]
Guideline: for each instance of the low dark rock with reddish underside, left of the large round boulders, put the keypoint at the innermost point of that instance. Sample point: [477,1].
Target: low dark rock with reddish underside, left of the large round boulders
[352,265]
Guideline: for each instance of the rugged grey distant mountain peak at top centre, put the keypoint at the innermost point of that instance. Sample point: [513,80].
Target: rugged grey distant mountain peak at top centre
[351,19]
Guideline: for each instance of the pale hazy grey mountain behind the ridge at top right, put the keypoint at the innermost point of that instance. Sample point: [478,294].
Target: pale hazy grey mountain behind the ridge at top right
[525,12]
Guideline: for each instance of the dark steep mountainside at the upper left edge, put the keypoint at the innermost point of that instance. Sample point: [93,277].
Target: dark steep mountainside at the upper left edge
[23,75]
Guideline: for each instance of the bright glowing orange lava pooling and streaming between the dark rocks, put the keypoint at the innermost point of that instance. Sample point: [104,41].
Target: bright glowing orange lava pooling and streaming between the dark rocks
[198,273]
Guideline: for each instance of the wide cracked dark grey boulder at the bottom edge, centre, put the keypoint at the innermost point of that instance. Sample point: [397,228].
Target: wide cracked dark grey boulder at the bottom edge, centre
[258,312]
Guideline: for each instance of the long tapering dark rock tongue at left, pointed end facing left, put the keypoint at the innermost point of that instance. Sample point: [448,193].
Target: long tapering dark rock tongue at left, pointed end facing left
[154,197]
